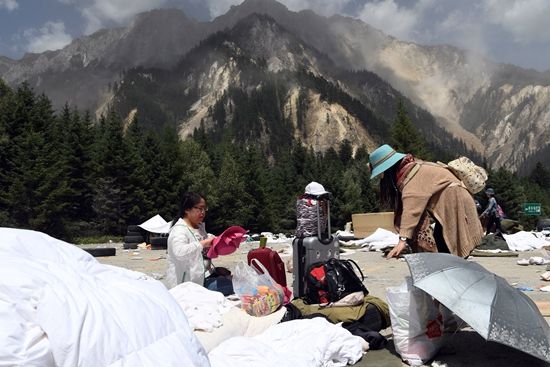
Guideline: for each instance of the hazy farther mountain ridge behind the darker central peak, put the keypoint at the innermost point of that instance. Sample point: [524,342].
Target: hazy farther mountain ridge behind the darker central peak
[499,110]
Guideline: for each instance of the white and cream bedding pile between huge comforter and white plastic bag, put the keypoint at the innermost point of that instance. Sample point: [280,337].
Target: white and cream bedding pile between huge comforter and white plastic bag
[233,338]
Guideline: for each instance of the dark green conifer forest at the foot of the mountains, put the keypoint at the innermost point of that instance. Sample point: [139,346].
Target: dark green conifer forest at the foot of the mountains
[65,174]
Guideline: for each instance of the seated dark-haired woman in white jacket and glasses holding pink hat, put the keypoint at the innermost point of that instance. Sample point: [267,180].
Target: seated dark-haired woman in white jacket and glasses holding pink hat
[188,245]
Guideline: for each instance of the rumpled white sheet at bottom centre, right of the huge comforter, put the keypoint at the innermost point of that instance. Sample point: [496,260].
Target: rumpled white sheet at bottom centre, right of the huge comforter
[305,343]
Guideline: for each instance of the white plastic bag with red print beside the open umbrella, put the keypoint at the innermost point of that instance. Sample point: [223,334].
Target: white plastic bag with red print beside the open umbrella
[416,322]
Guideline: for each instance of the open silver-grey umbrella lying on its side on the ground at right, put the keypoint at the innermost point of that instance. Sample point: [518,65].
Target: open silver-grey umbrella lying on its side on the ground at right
[493,308]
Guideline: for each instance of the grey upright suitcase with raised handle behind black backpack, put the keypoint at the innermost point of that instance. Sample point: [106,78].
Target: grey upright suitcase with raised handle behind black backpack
[312,249]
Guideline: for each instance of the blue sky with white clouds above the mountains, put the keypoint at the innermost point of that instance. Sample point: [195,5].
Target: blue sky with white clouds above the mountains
[510,31]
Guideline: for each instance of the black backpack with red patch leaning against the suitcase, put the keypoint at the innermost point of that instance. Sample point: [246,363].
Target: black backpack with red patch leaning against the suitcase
[332,280]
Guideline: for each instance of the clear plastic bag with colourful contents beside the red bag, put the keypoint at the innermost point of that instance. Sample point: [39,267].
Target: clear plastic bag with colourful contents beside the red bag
[260,295]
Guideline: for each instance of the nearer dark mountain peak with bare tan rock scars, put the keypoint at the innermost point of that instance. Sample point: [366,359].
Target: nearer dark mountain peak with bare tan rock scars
[257,82]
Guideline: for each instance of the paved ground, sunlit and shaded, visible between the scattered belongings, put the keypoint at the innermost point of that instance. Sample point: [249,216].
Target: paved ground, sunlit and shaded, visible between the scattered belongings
[465,348]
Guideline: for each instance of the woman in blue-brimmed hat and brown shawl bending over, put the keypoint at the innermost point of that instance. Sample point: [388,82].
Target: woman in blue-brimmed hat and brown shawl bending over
[421,193]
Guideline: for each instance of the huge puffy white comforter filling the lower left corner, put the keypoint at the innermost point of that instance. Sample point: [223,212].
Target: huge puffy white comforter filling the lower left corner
[60,306]
